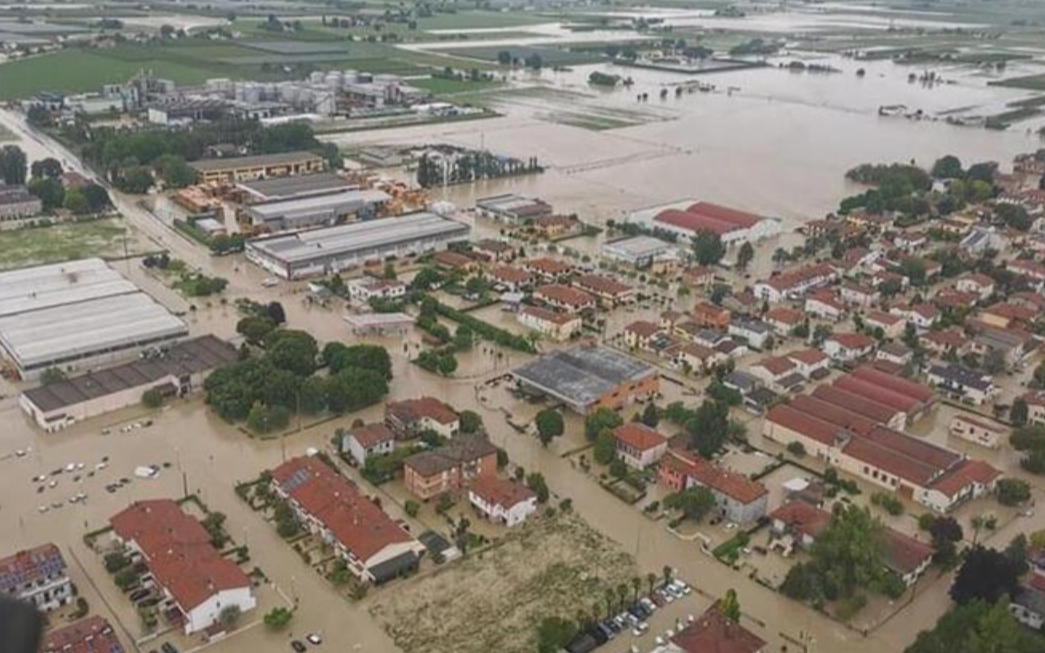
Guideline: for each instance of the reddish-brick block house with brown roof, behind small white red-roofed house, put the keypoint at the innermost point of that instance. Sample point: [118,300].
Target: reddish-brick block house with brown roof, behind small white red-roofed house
[451,468]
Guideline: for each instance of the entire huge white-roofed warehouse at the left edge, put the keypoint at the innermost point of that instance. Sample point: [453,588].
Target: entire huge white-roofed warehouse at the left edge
[78,316]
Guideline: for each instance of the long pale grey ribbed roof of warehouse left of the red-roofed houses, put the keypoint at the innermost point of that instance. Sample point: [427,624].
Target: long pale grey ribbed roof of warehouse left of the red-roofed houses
[347,239]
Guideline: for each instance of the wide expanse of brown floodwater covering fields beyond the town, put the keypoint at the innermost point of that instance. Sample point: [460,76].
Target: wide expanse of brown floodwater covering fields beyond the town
[778,144]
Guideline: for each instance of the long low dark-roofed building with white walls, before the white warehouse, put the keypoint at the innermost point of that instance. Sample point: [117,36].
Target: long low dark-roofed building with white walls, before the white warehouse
[175,371]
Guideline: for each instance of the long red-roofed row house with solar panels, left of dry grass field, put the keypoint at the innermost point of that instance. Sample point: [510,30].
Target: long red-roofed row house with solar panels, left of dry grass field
[375,548]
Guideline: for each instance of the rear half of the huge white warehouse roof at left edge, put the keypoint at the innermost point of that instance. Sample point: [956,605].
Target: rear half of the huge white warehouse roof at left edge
[44,287]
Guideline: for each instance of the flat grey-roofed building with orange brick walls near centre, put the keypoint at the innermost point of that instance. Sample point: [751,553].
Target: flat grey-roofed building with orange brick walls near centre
[589,378]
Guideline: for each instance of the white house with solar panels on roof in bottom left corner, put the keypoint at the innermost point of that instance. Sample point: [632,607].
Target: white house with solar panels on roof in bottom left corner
[38,577]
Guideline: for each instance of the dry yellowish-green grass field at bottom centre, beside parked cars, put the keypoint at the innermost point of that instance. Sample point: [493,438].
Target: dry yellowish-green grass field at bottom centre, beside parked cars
[494,599]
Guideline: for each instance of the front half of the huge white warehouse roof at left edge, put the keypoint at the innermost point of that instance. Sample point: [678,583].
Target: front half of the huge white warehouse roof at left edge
[58,334]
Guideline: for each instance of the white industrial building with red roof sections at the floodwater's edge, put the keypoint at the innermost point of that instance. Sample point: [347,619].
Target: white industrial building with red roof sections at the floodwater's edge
[687,219]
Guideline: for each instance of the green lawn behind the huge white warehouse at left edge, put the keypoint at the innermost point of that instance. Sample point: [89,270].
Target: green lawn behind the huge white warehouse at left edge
[37,246]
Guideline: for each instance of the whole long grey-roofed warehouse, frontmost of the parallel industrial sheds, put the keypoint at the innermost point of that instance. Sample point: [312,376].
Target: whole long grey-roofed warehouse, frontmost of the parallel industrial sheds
[330,250]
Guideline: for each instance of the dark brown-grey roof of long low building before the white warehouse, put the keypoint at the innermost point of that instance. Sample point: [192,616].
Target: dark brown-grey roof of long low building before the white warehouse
[192,357]
